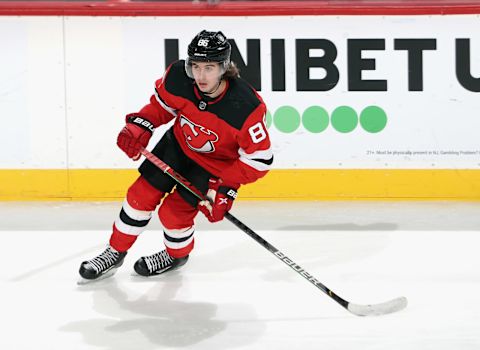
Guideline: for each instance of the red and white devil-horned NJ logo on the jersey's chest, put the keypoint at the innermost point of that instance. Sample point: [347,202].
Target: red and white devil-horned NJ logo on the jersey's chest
[198,137]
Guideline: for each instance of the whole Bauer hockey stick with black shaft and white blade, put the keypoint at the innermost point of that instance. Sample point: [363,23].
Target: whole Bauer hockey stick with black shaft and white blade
[387,307]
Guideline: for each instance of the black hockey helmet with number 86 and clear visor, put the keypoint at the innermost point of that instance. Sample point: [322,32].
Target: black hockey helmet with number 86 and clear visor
[208,47]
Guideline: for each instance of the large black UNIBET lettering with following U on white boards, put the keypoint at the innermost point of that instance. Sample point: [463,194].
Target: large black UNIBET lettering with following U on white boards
[357,64]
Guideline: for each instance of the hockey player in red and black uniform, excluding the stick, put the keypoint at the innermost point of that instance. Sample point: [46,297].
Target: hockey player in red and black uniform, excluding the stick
[218,142]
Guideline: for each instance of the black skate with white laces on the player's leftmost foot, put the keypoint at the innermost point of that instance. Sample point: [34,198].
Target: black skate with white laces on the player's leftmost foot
[102,266]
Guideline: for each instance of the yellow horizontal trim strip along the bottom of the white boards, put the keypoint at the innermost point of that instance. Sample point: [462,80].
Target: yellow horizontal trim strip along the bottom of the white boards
[282,184]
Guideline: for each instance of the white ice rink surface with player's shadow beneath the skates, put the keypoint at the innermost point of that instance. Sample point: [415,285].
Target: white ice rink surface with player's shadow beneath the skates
[234,294]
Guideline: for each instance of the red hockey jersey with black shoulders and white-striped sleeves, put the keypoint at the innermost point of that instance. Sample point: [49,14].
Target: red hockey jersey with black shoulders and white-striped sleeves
[227,135]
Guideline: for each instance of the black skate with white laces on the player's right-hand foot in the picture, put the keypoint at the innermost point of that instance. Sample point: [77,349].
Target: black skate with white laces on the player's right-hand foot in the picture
[158,263]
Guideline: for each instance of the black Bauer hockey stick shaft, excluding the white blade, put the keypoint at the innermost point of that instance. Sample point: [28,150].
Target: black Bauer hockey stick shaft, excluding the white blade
[289,262]
